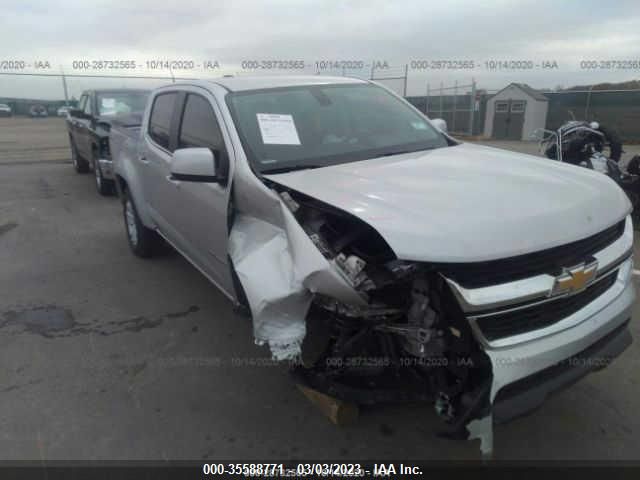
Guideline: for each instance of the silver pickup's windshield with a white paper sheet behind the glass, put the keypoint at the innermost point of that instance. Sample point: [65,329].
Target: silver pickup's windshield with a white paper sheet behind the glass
[320,125]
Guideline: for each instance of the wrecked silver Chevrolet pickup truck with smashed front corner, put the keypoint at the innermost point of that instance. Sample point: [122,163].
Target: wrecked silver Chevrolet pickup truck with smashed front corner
[390,261]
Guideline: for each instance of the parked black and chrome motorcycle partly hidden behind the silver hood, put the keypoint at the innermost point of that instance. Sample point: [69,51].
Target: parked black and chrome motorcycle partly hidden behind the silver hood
[584,143]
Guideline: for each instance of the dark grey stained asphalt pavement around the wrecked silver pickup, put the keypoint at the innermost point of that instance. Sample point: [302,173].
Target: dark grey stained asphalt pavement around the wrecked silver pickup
[107,356]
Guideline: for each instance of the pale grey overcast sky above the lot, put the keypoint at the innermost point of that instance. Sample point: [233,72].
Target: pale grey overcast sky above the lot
[312,30]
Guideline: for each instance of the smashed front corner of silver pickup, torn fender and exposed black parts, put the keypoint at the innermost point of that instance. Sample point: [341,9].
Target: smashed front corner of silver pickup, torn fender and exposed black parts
[326,289]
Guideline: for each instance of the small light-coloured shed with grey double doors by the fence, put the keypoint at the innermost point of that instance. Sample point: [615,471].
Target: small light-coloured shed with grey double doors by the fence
[515,112]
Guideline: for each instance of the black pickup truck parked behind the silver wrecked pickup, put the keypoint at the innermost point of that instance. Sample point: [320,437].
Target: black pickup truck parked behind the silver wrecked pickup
[89,126]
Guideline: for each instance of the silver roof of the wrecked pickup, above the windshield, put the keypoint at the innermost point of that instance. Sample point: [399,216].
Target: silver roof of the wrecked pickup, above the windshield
[237,84]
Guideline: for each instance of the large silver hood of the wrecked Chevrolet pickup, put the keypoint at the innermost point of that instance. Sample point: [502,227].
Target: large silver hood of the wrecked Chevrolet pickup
[467,203]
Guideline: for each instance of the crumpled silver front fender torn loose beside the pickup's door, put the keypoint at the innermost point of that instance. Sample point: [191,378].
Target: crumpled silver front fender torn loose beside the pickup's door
[280,269]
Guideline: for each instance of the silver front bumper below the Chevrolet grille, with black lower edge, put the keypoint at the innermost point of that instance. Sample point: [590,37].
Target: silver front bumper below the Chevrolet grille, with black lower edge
[527,372]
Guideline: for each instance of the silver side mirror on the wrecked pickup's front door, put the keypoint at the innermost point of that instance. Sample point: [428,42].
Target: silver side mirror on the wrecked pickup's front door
[198,165]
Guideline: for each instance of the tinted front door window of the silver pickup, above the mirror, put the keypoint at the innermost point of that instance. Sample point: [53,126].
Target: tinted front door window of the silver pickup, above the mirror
[199,127]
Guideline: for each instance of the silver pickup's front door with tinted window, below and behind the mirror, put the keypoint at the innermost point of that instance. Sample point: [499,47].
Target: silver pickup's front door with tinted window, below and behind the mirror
[197,211]
